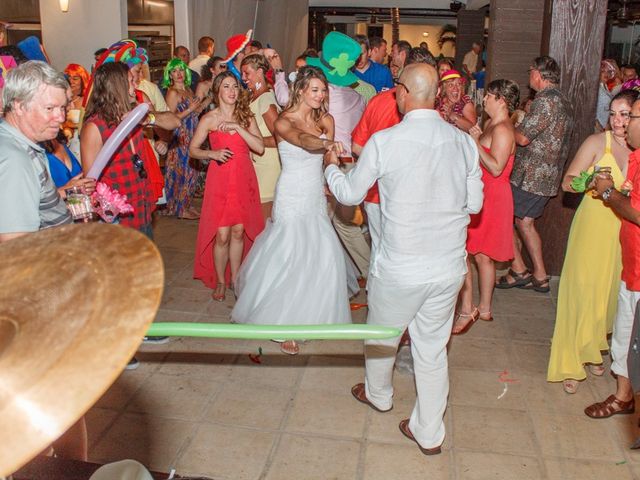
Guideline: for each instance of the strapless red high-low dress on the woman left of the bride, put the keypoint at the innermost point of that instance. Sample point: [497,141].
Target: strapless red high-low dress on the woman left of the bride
[231,197]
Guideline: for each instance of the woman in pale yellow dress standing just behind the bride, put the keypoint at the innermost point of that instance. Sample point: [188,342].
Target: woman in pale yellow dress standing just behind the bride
[264,106]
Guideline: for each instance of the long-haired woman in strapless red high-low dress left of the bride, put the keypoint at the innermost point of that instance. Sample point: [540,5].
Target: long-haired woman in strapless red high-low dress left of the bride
[231,216]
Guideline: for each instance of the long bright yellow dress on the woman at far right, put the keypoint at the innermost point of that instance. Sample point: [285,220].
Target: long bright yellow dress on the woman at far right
[588,291]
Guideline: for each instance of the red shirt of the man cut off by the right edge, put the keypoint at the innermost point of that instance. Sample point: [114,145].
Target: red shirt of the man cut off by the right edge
[630,232]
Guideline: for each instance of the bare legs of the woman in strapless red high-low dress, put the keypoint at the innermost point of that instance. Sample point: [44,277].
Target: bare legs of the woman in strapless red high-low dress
[227,248]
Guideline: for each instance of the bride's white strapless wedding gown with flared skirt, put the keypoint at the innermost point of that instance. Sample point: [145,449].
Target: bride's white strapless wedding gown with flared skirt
[296,271]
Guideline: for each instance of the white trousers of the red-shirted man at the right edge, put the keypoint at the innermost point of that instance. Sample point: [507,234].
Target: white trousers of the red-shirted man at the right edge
[622,327]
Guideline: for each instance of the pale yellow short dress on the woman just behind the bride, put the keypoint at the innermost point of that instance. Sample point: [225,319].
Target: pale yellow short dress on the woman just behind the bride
[267,165]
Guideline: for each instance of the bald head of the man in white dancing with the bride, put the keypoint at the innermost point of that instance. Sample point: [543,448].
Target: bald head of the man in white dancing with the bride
[421,82]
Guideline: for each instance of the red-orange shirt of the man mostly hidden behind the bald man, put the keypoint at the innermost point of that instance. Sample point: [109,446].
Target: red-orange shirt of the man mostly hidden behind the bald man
[381,112]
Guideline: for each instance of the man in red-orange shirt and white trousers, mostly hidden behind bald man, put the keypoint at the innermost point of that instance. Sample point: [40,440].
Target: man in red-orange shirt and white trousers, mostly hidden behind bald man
[381,112]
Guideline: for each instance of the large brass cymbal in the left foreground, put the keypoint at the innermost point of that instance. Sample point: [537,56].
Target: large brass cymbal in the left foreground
[75,303]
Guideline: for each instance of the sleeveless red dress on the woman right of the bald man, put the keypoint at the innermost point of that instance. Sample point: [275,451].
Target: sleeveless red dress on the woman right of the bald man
[491,231]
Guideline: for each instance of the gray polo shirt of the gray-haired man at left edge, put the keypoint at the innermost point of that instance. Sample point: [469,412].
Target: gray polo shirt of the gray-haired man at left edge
[29,200]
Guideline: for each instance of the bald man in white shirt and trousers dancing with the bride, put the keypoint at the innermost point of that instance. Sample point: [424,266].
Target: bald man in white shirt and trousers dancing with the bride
[430,181]
